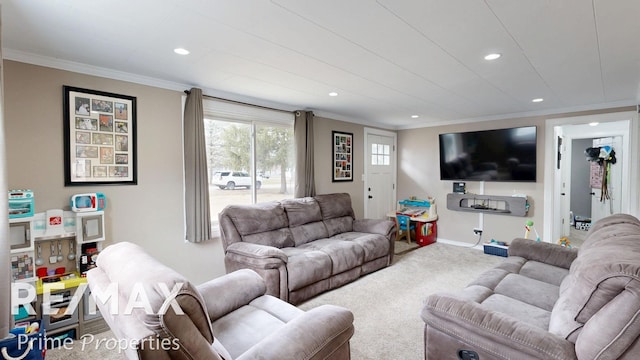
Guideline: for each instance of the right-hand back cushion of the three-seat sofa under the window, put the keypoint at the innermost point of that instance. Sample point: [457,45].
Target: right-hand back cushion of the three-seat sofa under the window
[337,212]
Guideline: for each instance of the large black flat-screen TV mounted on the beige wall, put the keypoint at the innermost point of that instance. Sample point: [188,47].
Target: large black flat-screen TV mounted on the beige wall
[489,155]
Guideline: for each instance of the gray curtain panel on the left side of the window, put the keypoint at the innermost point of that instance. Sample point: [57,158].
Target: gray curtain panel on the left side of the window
[196,181]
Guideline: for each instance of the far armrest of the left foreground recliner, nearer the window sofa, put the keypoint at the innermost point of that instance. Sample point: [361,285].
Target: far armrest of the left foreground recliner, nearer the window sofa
[229,292]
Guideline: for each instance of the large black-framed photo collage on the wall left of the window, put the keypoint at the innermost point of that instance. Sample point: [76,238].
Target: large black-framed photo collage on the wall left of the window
[99,138]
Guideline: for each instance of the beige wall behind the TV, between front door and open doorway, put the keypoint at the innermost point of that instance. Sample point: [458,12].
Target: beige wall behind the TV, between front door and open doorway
[419,175]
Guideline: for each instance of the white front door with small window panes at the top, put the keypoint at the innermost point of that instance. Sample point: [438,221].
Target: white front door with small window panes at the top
[380,170]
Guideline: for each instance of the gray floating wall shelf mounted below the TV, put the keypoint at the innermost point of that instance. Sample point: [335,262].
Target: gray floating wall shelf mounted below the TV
[488,204]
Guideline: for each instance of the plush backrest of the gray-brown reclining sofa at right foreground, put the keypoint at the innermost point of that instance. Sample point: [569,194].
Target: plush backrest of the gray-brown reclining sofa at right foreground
[603,281]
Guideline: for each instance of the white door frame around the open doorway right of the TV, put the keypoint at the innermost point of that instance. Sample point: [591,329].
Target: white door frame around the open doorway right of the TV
[552,181]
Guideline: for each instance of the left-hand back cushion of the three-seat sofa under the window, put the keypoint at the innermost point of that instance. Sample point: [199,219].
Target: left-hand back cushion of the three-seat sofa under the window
[262,223]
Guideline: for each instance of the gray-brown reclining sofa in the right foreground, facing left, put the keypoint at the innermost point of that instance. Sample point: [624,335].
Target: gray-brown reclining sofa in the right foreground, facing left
[547,302]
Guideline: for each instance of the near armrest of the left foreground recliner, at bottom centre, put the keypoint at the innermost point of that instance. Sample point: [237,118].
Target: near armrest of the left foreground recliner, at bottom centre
[316,334]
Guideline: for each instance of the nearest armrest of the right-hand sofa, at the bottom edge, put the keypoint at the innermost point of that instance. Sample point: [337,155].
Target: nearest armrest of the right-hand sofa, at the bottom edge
[491,331]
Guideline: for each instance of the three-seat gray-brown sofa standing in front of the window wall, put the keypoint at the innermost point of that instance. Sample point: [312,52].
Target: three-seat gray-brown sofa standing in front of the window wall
[304,246]
